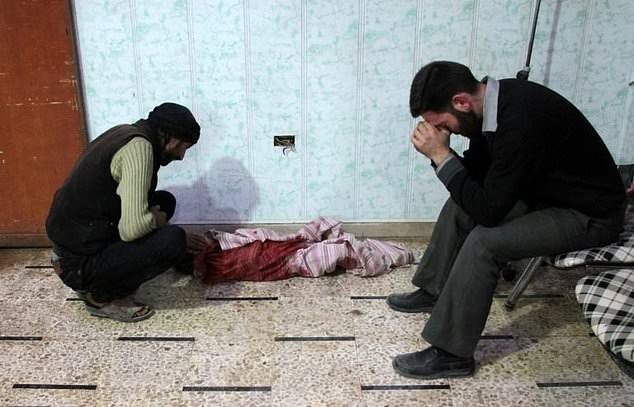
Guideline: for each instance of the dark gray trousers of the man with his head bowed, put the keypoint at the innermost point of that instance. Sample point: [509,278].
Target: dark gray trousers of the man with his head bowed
[462,263]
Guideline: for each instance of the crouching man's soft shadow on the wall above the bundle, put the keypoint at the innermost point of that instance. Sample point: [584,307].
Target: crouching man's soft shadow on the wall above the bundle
[226,193]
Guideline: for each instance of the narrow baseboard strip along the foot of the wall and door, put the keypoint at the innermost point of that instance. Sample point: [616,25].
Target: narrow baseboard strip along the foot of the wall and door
[383,230]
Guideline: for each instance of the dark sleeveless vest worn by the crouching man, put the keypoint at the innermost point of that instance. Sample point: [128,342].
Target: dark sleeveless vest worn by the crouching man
[85,212]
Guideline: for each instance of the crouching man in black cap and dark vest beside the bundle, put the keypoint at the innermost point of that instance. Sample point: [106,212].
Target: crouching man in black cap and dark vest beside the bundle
[107,222]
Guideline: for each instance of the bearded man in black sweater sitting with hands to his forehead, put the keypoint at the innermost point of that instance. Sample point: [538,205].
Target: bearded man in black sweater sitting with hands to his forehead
[536,180]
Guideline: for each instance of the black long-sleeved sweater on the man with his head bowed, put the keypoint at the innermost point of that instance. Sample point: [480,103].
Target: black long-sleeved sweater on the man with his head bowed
[543,152]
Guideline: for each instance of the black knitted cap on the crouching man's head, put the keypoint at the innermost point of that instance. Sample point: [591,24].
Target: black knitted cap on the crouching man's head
[176,120]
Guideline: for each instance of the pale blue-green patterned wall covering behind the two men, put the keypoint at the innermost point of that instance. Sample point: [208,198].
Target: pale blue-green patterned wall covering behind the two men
[335,74]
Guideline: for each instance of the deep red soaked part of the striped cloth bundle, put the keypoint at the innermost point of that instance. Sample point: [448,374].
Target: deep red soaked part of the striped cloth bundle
[256,261]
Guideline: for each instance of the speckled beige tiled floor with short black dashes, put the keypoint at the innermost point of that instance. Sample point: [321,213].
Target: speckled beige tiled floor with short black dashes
[298,342]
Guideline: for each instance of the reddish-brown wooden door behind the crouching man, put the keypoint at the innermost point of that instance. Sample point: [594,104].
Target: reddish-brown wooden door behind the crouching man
[41,119]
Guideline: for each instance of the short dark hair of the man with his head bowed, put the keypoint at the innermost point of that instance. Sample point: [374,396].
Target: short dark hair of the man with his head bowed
[436,83]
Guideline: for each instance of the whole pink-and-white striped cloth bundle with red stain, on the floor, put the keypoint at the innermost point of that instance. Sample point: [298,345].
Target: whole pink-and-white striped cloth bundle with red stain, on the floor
[318,248]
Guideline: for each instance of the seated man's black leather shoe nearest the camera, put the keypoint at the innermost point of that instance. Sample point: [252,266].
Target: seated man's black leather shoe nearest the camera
[433,363]
